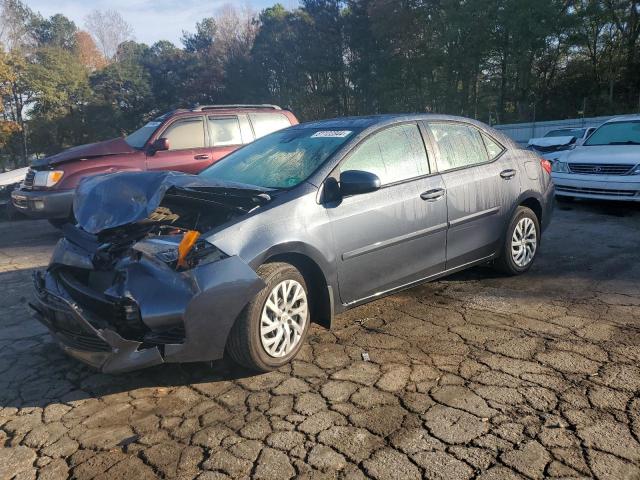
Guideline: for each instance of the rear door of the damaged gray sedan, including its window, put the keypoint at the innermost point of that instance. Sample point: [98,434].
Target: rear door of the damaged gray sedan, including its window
[482,186]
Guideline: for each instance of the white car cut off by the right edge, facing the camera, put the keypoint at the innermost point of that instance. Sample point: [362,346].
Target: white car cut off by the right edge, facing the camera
[606,166]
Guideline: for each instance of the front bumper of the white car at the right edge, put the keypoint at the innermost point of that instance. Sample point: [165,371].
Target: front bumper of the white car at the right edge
[598,187]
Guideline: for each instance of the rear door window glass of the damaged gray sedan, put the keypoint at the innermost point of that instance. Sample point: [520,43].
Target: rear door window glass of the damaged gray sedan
[459,145]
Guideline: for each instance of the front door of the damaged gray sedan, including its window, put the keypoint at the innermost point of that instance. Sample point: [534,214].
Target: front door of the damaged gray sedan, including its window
[397,234]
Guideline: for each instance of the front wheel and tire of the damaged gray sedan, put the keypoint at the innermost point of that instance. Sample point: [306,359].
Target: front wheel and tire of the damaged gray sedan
[273,326]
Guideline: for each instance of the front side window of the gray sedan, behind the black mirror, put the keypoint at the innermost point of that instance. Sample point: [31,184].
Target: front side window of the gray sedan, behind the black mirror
[395,154]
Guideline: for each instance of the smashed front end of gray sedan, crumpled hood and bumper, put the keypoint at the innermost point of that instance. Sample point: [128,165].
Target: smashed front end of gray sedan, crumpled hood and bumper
[114,294]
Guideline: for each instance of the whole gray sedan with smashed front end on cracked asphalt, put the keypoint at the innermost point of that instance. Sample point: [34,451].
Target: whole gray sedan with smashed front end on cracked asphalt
[293,228]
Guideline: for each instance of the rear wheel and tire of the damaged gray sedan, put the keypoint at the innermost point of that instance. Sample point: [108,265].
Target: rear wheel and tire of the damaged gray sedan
[521,243]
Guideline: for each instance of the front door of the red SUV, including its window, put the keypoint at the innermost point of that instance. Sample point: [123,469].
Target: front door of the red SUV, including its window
[188,146]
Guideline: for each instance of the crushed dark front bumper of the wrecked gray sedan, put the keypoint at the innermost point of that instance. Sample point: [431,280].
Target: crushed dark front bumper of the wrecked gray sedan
[184,316]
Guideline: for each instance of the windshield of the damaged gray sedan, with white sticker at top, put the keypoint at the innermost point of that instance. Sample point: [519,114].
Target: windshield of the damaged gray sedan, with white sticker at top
[280,160]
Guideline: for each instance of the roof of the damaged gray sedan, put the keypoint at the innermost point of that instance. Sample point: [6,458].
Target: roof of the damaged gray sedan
[365,122]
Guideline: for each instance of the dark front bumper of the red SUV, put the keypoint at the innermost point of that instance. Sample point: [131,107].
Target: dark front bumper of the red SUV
[43,204]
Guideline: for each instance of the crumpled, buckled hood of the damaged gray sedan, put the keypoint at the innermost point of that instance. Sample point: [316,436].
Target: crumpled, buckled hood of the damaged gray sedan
[108,201]
